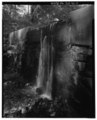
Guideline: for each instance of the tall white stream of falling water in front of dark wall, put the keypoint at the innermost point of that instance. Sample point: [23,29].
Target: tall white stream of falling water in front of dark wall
[45,70]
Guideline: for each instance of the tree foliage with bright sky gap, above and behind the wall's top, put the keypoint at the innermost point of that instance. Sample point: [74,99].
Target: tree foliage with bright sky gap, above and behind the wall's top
[16,17]
